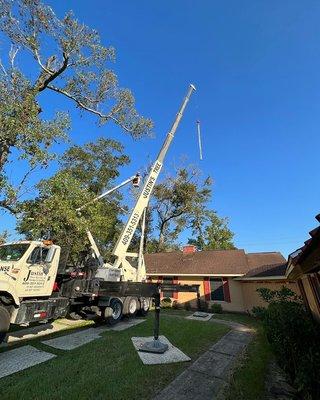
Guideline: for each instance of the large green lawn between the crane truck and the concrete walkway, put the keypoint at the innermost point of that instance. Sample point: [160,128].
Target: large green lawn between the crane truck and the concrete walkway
[110,367]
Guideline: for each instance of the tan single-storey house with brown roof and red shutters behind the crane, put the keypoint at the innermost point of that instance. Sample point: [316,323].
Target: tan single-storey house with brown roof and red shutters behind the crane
[227,277]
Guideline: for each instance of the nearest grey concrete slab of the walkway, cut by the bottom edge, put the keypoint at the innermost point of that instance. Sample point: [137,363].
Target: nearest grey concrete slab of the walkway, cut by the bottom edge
[191,385]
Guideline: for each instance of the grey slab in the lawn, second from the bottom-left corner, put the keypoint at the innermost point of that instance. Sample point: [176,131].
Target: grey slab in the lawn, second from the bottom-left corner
[74,340]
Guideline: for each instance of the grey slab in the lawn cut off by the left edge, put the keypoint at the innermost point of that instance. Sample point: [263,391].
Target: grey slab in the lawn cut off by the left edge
[19,359]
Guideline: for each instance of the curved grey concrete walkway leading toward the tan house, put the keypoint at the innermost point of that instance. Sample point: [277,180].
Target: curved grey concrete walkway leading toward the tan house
[210,373]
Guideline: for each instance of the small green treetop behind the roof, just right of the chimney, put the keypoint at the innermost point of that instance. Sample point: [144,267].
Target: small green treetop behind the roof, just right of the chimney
[212,232]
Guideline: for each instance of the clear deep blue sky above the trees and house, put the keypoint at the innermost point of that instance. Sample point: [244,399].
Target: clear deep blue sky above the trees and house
[256,67]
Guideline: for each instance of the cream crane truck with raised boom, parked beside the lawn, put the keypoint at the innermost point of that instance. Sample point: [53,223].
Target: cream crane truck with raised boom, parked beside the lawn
[37,283]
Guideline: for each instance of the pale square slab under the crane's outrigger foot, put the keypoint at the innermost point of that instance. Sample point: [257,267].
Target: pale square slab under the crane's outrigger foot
[172,355]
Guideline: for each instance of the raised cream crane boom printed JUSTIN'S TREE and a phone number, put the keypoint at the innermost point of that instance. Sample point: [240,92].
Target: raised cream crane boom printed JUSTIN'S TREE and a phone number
[121,248]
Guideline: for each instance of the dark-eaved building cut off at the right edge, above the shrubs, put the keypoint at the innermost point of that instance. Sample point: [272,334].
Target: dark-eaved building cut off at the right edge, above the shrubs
[304,266]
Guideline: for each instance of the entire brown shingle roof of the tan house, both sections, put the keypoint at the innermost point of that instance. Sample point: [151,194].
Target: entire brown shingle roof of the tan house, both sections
[210,262]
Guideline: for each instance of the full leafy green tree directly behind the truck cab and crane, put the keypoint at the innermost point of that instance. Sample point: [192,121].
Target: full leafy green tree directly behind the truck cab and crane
[84,172]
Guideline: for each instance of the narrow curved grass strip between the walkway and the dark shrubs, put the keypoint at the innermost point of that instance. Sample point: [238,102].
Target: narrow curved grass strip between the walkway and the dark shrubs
[248,380]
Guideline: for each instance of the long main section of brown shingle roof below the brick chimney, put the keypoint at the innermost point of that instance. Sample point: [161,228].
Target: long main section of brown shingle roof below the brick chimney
[201,262]
